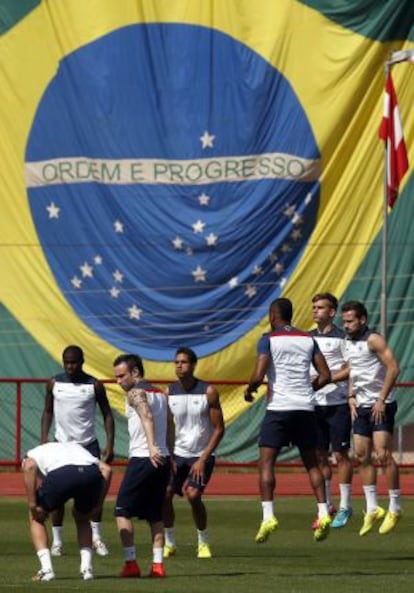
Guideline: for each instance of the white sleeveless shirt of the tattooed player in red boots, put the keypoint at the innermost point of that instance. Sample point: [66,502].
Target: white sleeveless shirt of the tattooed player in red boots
[157,400]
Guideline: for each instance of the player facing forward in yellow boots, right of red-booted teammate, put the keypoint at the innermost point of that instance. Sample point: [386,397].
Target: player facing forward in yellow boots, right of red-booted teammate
[199,427]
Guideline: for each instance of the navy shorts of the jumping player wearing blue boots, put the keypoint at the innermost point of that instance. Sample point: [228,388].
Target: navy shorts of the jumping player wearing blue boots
[334,427]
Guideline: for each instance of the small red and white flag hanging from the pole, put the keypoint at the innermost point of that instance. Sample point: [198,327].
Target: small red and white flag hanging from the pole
[391,132]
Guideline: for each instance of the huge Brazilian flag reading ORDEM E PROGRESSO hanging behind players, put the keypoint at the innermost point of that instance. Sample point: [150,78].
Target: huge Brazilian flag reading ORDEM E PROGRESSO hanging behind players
[168,167]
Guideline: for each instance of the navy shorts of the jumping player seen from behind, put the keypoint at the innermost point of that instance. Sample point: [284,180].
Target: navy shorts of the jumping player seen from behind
[281,429]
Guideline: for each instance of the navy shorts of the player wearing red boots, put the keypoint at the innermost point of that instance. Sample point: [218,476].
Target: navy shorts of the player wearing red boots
[142,491]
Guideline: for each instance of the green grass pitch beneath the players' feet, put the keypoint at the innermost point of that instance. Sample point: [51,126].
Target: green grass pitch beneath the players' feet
[290,562]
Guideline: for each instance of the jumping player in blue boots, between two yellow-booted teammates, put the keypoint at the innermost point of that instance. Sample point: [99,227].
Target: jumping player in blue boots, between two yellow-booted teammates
[332,411]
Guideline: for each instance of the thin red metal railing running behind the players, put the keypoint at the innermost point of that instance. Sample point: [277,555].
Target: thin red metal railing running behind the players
[19,382]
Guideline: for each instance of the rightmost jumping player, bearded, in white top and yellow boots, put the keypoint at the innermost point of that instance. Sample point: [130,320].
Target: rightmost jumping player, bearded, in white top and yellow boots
[373,372]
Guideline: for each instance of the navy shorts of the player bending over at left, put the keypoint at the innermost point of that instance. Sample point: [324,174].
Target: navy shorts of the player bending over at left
[82,483]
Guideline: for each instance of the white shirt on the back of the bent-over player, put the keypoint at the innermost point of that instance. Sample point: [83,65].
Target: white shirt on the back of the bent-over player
[51,456]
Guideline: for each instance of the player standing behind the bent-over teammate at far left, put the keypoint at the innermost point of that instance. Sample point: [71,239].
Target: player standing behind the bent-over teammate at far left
[71,400]
